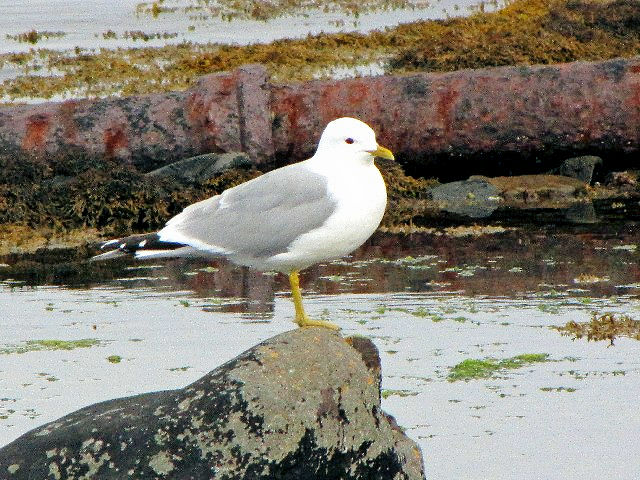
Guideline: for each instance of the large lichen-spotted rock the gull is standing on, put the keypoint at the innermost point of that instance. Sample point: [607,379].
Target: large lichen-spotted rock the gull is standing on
[302,405]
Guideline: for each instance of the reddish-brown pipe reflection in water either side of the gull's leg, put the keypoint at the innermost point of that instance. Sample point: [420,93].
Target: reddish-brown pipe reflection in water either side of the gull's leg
[510,264]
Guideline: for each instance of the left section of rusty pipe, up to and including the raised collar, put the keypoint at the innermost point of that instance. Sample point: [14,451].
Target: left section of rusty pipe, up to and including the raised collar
[222,112]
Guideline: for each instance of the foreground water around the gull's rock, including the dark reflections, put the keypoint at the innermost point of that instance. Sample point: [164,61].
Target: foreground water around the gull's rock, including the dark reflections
[428,302]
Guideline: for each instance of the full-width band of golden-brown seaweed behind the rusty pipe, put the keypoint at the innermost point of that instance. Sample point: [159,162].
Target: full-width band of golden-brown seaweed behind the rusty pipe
[523,33]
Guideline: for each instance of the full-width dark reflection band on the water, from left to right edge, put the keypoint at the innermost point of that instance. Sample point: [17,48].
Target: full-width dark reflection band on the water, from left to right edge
[511,264]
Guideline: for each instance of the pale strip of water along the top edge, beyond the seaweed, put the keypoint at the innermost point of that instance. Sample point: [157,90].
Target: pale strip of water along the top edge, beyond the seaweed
[85,21]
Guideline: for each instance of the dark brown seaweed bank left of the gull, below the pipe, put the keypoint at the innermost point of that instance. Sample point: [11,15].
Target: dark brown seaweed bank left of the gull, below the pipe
[79,192]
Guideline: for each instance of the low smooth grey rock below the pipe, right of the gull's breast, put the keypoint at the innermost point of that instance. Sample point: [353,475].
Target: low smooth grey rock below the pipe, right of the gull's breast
[474,198]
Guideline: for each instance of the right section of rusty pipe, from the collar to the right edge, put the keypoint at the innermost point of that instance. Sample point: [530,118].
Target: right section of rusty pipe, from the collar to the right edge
[491,120]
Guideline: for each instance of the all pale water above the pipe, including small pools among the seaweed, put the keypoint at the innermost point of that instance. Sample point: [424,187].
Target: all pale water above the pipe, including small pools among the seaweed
[76,26]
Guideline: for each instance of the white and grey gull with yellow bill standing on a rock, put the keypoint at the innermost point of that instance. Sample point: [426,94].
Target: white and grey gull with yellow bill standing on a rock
[286,220]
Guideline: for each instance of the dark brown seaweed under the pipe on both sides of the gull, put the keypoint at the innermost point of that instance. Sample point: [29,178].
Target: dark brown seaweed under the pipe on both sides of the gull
[52,201]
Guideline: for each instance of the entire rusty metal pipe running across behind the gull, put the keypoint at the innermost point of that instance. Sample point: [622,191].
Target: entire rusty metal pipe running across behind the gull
[506,110]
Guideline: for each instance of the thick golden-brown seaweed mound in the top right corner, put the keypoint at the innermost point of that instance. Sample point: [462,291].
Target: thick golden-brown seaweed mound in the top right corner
[523,33]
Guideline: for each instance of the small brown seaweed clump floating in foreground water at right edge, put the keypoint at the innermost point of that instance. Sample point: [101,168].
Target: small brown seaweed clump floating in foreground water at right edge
[602,327]
